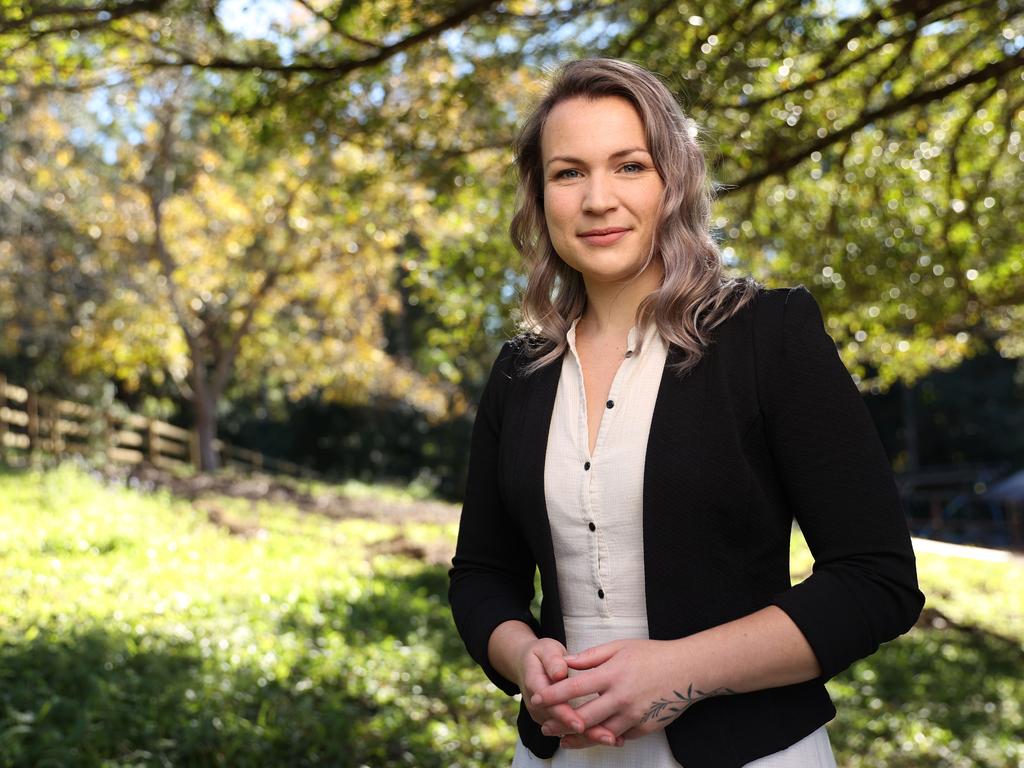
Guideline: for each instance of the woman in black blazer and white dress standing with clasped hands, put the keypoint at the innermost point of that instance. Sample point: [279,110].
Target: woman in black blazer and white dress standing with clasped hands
[647,446]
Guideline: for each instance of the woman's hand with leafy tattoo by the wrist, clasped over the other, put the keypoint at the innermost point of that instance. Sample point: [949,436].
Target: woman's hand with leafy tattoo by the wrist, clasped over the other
[643,686]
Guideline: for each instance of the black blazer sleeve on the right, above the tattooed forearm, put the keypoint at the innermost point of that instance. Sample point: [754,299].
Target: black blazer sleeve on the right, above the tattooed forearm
[838,481]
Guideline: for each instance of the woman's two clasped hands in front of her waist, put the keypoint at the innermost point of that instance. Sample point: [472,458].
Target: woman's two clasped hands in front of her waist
[632,680]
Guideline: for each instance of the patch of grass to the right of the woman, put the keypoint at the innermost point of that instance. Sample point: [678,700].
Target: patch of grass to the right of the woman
[951,695]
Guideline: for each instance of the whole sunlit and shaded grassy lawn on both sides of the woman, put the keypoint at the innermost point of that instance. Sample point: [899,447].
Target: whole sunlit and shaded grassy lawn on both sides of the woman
[140,629]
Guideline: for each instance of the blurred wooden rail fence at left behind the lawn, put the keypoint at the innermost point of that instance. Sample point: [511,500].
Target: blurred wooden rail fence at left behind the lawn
[34,425]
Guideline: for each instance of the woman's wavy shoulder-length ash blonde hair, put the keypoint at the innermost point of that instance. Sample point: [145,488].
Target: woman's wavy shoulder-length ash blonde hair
[694,297]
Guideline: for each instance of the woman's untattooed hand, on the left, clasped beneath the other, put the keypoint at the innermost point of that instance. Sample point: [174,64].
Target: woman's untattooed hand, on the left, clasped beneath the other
[542,664]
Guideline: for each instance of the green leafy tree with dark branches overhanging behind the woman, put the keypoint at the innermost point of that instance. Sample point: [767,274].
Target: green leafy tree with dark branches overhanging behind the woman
[870,153]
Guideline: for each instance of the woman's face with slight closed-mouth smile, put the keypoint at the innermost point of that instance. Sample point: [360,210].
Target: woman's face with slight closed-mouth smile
[602,192]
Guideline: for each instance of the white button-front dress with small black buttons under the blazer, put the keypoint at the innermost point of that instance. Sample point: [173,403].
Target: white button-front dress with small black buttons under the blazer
[595,505]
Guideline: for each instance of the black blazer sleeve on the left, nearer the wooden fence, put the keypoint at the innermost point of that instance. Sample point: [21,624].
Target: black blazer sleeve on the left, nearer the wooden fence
[492,576]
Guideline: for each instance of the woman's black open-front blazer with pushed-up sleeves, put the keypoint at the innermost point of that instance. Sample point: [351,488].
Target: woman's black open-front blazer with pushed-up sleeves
[769,428]
